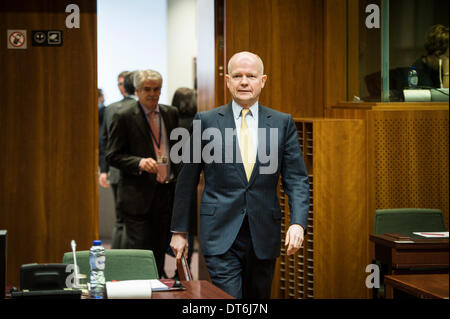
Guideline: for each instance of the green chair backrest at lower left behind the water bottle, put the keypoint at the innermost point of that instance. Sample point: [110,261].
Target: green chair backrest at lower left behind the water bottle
[120,264]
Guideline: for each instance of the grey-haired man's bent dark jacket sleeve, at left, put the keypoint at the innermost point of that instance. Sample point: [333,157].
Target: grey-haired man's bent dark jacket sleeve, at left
[117,154]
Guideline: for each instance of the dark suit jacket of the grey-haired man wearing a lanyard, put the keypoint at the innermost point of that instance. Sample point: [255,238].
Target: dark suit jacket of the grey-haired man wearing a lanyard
[130,141]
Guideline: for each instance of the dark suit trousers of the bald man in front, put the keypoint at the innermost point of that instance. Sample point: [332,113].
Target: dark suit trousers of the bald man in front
[239,272]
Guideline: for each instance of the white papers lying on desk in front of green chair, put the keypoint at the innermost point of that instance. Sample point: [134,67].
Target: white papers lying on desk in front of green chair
[133,289]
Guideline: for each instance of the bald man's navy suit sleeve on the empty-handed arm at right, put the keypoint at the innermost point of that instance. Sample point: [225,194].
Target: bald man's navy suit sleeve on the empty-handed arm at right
[295,177]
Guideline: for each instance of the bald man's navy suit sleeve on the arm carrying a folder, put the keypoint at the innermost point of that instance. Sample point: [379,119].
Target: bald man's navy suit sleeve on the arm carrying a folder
[187,182]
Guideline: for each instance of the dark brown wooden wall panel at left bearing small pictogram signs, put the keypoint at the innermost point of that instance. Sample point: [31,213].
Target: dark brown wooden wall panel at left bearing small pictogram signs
[48,135]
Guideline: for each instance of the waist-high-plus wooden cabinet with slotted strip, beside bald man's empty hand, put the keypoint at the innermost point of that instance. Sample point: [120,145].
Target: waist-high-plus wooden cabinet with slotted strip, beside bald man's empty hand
[335,252]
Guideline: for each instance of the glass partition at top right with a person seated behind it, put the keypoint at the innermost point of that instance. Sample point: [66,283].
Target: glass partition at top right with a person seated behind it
[410,33]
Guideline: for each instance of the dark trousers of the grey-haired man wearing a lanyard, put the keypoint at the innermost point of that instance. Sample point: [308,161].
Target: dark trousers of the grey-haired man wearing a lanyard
[151,230]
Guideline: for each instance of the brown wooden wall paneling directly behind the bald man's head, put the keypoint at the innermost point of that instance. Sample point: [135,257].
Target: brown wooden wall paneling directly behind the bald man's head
[288,36]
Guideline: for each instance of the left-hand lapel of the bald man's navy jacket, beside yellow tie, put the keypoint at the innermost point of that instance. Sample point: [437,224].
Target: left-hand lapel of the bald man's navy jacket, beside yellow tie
[226,120]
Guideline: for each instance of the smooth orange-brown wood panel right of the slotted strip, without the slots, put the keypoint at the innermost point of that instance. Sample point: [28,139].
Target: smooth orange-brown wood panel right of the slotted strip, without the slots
[340,243]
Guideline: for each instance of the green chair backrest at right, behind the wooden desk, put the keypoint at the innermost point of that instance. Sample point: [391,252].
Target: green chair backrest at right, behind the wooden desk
[404,221]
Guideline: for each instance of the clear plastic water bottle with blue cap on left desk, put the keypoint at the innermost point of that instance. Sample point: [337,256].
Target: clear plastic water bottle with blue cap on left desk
[97,263]
